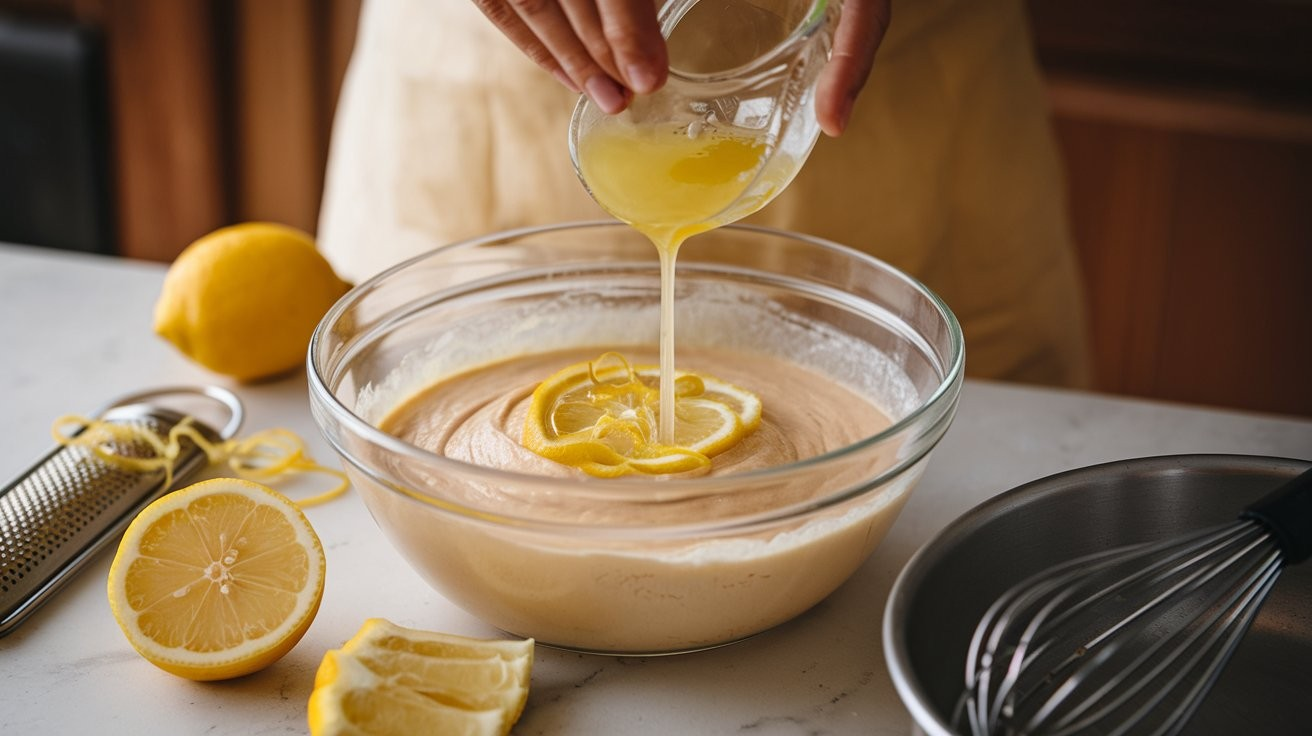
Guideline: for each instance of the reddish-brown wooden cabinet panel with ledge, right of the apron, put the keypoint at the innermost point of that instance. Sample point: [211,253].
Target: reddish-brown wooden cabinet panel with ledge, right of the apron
[1195,229]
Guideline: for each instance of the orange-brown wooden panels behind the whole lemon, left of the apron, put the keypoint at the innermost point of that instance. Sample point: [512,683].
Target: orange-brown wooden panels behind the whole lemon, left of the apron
[221,110]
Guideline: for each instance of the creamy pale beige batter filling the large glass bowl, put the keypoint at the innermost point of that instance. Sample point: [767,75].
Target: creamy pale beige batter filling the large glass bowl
[624,573]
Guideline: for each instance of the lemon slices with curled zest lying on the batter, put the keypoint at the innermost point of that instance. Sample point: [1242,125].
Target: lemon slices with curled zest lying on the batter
[602,417]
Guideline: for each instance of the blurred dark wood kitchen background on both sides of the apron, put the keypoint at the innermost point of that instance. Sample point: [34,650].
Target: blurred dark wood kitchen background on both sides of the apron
[133,127]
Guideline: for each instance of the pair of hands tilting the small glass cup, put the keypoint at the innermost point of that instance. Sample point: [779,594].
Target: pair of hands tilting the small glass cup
[612,49]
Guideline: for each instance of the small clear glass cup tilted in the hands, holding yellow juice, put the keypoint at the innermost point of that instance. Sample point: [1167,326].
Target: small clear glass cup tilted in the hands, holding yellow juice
[743,72]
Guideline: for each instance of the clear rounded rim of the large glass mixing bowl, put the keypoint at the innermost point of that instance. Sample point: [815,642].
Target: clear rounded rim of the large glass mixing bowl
[624,487]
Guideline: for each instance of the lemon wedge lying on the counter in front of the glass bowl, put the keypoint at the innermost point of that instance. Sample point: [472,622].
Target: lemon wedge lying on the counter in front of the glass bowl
[389,680]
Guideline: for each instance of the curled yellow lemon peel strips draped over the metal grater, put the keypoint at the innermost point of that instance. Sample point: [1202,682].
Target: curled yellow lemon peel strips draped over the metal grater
[270,455]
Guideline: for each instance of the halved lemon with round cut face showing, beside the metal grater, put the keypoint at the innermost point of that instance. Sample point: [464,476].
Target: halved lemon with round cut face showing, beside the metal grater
[217,581]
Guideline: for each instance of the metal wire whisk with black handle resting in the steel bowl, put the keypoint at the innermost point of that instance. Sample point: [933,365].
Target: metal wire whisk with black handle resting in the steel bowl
[1130,641]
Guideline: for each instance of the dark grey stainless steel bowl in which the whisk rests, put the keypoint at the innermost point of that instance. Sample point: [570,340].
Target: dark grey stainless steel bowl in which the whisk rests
[949,584]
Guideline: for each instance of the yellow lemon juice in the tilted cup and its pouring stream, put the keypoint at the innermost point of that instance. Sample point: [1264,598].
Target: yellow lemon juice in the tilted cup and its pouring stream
[671,184]
